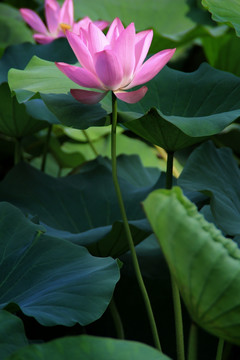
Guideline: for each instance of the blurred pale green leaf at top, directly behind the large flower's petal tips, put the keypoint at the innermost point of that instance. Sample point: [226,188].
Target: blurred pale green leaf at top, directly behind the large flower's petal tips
[187,20]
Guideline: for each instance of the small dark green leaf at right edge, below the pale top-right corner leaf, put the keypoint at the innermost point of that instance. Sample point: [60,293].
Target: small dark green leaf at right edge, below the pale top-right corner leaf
[222,52]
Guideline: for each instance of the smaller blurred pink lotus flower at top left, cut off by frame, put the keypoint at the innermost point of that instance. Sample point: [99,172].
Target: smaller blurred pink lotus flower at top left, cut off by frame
[59,19]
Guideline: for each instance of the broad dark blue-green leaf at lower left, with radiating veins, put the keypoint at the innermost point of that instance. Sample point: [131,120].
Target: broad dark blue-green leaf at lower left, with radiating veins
[52,280]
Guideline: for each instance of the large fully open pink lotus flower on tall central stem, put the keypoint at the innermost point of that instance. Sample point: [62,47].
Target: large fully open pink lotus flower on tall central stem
[114,62]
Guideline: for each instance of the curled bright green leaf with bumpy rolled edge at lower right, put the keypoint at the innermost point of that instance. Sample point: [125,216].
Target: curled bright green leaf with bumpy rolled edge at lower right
[205,264]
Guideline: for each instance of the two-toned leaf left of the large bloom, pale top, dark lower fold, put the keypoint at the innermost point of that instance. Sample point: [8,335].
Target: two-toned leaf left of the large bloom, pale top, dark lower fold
[44,77]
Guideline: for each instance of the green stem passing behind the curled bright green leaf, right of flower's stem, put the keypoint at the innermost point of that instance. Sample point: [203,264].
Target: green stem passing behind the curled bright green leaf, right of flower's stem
[175,291]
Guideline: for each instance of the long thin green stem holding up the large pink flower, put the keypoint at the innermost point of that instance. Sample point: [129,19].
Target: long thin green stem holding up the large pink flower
[127,228]
